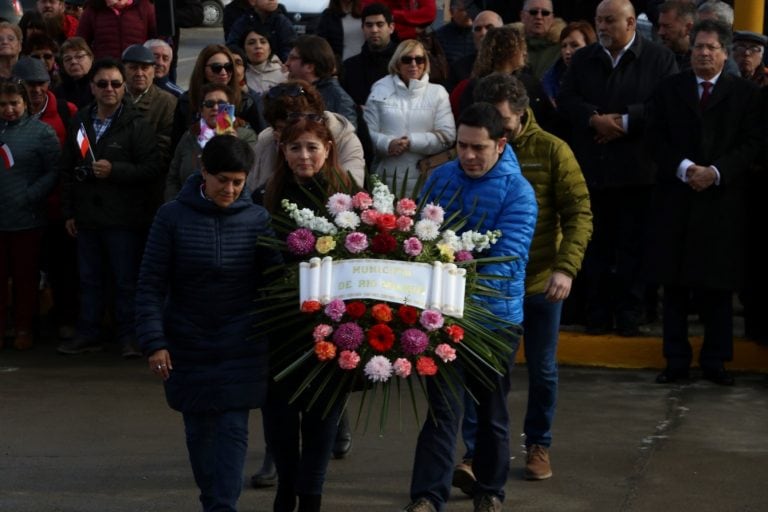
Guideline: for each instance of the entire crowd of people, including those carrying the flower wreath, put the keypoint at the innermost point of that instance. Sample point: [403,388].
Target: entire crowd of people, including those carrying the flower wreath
[622,157]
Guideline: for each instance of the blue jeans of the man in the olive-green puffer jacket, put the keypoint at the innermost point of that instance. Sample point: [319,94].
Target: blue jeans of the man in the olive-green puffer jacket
[542,330]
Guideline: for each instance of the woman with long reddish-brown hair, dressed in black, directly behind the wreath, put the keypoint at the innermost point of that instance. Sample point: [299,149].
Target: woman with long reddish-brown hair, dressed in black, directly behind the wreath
[300,437]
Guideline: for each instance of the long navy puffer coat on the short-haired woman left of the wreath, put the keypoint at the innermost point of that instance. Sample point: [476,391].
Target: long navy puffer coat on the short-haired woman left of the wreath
[200,273]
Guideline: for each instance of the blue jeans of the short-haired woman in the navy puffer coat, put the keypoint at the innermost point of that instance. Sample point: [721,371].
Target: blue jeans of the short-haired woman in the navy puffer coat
[217,444]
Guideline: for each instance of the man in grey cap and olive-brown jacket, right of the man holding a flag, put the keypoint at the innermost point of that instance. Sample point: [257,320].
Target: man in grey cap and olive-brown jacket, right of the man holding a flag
[155,105]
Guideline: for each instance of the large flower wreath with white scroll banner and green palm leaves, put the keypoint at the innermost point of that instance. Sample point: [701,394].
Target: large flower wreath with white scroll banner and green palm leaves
[385,298]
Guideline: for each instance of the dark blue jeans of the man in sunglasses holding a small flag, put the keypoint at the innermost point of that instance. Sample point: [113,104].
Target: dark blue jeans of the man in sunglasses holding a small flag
[121,250]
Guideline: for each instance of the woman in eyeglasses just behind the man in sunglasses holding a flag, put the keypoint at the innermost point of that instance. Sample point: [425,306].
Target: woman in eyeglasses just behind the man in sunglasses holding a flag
[76,60]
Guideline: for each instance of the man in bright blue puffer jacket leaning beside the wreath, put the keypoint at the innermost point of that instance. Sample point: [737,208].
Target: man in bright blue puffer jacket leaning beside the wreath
[495,195]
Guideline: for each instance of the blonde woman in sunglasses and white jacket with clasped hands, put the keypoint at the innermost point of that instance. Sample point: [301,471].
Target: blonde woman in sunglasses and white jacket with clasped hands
[408,117]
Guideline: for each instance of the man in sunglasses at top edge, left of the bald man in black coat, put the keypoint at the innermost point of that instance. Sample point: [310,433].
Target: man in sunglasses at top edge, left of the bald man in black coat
[543,48]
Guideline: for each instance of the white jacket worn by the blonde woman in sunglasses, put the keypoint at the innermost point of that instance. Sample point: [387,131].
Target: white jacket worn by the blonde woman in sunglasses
[421,111]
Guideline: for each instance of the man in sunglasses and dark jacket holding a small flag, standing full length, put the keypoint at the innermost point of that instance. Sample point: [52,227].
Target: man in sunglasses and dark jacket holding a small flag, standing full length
[110,168]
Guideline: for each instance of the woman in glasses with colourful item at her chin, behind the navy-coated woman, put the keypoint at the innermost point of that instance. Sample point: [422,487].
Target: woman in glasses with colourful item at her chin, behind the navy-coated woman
[186,158]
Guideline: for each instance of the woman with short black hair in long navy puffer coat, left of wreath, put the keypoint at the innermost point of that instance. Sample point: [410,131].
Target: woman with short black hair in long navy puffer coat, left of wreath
[213,365]
